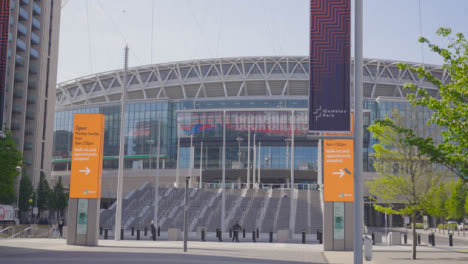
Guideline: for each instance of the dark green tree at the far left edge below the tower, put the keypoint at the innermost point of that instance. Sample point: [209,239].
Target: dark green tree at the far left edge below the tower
[10,158]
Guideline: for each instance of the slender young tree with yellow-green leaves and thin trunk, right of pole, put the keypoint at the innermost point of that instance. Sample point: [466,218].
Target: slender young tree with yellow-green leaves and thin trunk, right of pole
[406,178]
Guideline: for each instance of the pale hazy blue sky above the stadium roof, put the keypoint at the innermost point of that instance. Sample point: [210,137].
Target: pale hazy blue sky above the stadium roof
[93,33]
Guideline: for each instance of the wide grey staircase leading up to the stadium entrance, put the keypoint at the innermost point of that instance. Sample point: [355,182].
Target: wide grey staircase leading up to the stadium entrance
[266,209]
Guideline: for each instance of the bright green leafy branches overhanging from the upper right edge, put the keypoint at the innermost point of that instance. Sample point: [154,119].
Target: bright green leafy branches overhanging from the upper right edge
[450,109]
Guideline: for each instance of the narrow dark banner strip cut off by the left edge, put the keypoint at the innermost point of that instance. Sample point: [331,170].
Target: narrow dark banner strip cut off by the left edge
[4,18]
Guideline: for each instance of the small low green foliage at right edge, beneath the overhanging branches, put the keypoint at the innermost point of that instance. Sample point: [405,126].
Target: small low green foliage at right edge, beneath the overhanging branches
[455,203]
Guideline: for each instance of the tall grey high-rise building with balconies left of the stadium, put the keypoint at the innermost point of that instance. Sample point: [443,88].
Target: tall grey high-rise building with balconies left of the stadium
[28,93]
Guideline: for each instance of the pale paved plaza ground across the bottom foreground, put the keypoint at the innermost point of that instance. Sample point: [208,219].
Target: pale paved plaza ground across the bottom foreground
[131,251]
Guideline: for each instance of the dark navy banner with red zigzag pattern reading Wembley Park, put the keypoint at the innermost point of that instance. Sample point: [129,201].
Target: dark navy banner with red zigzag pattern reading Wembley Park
[329,94]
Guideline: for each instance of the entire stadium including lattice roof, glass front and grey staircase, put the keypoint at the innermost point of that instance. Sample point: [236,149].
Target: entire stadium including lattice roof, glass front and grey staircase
[260,102]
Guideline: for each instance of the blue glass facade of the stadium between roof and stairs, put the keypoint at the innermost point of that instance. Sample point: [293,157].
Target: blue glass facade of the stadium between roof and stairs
[269,121]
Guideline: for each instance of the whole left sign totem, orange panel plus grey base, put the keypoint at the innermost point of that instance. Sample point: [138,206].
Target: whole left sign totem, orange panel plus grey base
[85,180]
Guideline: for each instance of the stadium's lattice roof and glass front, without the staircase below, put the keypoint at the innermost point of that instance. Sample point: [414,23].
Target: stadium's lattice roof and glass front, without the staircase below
[191,99]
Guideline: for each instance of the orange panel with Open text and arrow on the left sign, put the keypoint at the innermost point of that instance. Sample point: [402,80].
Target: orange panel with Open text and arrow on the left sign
[86,165]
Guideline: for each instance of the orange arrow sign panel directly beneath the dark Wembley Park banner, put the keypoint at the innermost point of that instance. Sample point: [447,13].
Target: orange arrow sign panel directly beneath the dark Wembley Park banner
[338,170]
